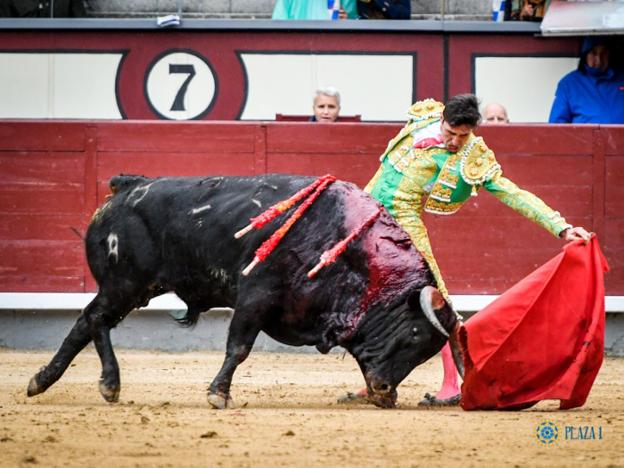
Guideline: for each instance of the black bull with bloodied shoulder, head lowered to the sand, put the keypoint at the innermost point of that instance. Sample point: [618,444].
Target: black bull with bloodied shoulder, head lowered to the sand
[176,234]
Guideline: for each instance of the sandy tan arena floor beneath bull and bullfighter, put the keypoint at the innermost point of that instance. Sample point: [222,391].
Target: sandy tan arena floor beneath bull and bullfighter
[287,415]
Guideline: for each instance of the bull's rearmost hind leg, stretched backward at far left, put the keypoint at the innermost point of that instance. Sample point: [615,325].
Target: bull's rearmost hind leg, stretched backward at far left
[76,340]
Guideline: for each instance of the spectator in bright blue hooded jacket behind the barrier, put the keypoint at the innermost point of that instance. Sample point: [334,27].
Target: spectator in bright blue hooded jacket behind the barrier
[594,92]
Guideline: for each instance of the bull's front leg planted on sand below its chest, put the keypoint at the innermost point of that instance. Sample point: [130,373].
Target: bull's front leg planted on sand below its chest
[243,332]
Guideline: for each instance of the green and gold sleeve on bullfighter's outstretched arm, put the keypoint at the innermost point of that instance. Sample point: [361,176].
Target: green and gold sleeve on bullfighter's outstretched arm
[526,204]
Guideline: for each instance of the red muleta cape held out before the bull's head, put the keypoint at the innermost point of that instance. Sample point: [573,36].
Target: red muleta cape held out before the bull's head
[543,339]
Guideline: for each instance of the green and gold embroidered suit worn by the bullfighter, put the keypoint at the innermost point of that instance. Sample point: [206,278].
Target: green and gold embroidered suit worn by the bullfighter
[412,179]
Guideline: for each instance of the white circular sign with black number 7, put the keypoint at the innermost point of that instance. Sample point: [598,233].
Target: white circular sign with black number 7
[180,85]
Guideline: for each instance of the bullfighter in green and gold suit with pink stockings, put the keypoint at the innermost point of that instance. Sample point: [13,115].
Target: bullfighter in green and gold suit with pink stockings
[436,163]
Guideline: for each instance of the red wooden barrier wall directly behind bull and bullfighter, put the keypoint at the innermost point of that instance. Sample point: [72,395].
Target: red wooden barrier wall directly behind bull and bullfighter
[54,174]
